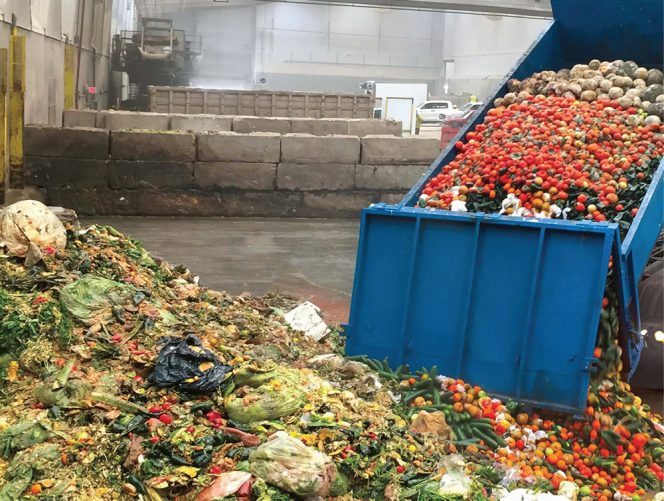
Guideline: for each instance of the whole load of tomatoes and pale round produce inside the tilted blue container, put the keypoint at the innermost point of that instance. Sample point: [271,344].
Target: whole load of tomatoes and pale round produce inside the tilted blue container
[555,148]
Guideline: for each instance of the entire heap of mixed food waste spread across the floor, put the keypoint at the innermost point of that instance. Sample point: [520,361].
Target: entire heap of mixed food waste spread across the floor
[123,378]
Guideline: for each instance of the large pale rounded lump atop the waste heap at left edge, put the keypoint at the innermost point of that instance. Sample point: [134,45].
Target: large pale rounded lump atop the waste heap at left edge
[30,227]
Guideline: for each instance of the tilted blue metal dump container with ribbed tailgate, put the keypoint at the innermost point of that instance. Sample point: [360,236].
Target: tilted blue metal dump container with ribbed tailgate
[511,304]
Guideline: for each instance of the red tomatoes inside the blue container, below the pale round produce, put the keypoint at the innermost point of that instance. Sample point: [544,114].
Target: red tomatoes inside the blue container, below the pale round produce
[592,160]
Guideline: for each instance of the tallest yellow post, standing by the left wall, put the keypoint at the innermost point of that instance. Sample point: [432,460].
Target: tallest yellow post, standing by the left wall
[16,107]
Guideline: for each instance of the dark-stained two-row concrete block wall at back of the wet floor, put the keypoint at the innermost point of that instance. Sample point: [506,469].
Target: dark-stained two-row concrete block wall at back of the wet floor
[167,173]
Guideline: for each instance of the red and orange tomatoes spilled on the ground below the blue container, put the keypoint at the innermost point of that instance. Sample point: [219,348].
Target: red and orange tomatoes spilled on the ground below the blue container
[600,454]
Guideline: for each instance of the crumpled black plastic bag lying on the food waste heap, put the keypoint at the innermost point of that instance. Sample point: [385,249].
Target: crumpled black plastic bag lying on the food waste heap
[186,365]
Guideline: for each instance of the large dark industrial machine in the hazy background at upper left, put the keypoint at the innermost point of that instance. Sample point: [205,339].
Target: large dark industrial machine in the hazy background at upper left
[157,54]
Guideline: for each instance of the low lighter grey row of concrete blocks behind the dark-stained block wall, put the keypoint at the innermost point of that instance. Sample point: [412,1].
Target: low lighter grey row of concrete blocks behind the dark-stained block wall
[119,120]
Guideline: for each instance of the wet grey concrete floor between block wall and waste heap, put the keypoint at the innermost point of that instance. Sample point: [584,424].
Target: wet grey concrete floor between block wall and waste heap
[309,258]
